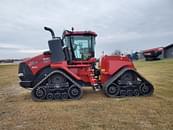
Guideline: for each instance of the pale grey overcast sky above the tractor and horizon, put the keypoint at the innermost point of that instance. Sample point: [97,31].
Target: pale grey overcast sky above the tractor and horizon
[126,25]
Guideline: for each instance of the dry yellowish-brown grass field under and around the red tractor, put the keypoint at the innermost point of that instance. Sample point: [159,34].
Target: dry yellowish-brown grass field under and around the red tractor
[94,111]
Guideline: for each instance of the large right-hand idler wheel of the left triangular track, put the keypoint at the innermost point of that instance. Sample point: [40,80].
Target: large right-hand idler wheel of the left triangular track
[75,92]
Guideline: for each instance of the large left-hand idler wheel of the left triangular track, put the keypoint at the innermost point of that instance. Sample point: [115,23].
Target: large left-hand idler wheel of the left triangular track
[39,93]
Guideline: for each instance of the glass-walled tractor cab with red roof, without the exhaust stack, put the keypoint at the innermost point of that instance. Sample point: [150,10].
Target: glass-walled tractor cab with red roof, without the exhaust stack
[81,44]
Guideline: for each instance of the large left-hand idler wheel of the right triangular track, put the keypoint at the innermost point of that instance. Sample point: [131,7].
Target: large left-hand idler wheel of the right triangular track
[112,90]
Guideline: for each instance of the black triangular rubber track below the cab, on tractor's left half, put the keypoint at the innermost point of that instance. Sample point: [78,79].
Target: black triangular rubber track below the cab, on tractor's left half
[57,86]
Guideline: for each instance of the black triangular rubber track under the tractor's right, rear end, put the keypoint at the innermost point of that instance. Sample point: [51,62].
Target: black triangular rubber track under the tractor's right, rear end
[127,82]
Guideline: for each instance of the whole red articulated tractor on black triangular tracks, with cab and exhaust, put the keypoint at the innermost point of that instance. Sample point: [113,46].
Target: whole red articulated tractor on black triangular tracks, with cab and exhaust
[69,65]
